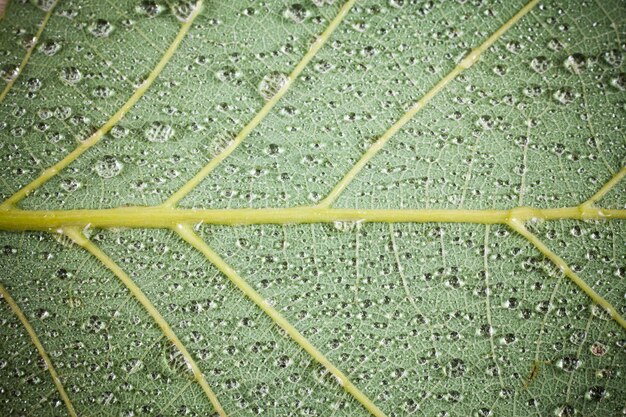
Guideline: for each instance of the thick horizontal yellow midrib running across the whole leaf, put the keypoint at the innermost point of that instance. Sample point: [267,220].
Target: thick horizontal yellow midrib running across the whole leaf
[166,217]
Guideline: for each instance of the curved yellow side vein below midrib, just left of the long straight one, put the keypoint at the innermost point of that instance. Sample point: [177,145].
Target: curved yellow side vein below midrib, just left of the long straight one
[81,240]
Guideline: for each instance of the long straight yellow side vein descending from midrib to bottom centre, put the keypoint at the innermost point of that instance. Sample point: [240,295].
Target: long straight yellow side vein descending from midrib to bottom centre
[189,236]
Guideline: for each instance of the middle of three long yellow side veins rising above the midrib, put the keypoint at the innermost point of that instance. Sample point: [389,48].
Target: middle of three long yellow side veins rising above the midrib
[258,118]
